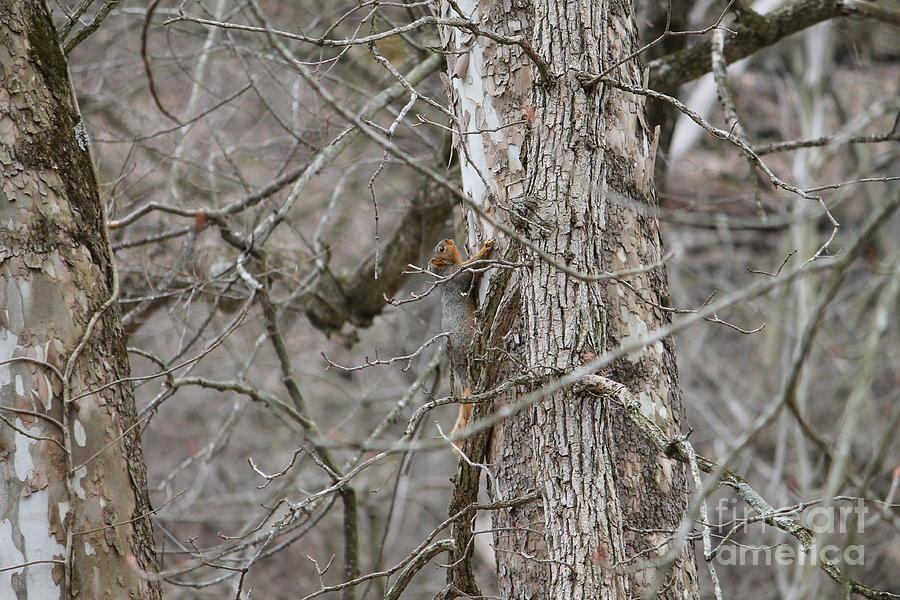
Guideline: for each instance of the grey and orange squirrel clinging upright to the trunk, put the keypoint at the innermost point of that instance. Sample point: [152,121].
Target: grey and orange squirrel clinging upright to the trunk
[458,305]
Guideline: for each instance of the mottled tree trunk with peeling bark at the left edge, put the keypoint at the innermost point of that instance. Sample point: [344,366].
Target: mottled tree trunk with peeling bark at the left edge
[74,512]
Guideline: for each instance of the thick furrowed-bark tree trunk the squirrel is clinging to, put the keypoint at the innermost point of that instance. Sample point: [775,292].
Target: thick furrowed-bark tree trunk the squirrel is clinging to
[570,170]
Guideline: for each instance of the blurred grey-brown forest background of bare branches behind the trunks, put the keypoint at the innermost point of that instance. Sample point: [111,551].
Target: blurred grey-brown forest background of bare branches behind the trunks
[202,132]
